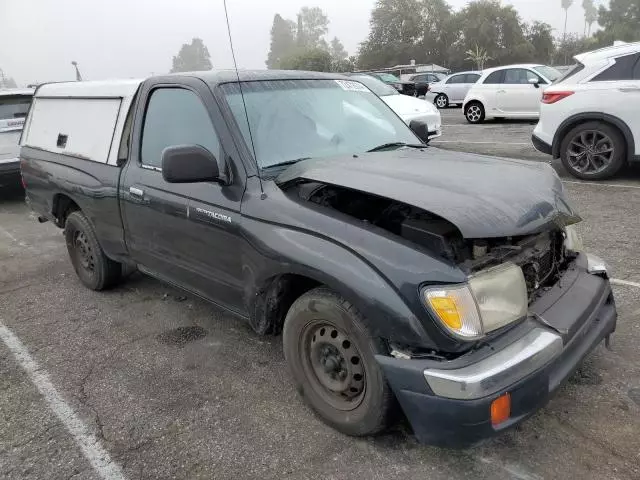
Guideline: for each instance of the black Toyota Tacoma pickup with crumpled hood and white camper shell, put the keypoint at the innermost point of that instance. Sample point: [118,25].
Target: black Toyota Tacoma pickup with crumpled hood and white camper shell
[451,284]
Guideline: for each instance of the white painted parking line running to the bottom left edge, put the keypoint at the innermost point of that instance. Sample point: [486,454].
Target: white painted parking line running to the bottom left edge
[90,445]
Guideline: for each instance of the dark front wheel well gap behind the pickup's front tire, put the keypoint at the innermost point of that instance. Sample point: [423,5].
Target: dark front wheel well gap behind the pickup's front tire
[274,300]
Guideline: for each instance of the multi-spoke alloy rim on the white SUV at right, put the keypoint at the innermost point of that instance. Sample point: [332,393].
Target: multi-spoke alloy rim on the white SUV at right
[590,152]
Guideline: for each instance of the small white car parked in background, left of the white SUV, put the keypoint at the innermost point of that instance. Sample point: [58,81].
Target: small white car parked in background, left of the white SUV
[508,92]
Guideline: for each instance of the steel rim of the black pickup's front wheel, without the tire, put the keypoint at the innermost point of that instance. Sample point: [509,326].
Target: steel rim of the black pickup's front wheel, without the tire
[333,365]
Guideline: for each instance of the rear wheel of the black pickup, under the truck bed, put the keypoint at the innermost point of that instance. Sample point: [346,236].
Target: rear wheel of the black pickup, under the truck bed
[92,266]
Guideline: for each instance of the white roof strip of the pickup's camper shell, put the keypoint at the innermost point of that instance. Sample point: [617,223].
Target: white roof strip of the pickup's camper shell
[102,88]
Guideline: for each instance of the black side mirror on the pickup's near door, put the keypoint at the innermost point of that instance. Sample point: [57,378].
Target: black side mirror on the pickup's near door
[189,164]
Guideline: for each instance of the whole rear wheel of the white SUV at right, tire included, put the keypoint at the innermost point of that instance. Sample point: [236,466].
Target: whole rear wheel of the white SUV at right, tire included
[602,137]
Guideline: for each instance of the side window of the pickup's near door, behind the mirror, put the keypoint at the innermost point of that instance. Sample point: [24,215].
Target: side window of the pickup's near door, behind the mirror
[175,116]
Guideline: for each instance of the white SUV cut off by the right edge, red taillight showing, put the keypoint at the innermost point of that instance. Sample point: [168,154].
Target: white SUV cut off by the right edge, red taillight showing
[589,118]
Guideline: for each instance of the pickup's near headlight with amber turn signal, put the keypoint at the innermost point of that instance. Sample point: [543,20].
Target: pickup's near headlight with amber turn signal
[492,299]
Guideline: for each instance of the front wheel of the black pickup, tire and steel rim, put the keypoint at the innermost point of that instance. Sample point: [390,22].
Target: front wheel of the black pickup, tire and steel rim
[315,318]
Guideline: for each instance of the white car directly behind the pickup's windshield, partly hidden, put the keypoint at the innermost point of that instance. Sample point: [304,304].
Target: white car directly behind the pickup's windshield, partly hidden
[407,108]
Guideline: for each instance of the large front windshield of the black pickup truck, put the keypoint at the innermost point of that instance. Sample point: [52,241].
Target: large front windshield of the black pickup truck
[299,119]
